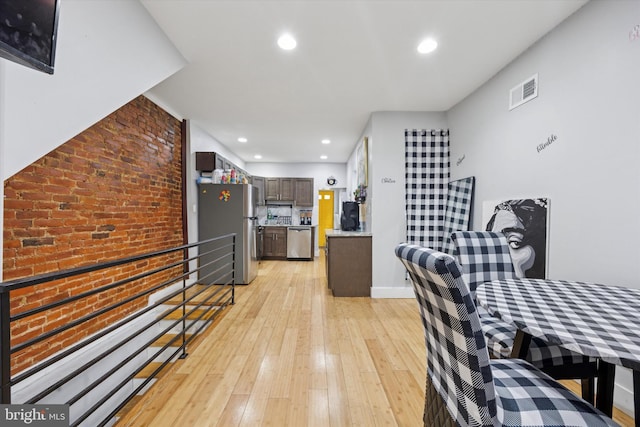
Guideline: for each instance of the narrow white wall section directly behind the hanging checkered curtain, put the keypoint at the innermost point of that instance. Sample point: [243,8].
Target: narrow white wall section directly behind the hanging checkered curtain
[386,195]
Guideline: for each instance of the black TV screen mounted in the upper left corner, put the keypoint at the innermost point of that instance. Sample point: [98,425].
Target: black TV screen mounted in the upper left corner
[28,32]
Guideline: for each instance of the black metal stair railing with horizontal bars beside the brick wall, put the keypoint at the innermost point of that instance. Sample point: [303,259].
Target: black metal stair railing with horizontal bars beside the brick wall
[107,361]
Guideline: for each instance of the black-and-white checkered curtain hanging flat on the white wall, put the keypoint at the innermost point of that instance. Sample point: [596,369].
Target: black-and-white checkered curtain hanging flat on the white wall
[427,177]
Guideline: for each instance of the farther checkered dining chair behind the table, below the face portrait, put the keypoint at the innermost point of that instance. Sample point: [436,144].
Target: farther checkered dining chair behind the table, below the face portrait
[484,256]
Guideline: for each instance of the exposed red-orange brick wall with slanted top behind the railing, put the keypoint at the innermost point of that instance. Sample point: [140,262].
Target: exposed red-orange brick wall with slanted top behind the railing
[110,192]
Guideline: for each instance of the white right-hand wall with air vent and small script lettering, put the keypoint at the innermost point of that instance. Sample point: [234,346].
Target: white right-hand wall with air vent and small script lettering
[589,97]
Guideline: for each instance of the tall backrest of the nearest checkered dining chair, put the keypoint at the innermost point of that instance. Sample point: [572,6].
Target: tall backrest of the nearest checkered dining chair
[458,362]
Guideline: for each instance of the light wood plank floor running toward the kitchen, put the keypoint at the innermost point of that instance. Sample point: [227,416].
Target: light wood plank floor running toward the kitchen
[290,354]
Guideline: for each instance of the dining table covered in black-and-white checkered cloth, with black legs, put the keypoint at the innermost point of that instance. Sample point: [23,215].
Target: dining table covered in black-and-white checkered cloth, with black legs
[602,321]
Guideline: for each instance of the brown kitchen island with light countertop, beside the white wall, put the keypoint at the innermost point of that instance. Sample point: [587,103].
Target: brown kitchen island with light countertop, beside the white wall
[348,261]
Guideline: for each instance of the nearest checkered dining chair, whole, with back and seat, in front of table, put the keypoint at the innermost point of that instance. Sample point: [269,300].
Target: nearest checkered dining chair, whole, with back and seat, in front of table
[462,381]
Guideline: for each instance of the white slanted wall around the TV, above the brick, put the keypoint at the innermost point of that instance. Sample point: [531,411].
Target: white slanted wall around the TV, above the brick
[108,52]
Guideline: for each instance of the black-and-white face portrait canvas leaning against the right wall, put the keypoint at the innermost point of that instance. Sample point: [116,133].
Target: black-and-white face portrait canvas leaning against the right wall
[525,223]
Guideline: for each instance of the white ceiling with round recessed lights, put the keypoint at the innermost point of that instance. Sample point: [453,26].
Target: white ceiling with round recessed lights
[352,58]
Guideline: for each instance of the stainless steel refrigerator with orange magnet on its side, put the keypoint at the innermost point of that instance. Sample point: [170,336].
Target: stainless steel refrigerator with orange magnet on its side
[230,208]
